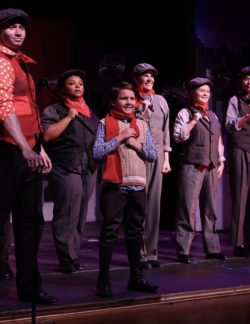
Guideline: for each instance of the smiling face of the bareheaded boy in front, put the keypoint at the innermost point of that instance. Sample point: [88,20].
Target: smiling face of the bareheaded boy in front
[125,101]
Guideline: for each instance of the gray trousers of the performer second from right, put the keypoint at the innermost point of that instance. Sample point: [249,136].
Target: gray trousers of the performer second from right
[196,188]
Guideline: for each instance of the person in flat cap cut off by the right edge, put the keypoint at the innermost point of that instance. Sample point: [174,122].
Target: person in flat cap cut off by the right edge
[238,127]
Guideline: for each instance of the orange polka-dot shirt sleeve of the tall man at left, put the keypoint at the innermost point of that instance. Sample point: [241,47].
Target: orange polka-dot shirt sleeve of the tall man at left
[7,79]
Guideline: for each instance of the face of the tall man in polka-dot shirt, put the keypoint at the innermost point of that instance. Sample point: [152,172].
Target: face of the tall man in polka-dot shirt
[13,35]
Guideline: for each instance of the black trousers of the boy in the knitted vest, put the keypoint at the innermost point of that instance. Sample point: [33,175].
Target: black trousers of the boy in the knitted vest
[121,206]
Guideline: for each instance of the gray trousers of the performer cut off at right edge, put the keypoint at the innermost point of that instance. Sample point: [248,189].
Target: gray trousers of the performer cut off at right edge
[240,185]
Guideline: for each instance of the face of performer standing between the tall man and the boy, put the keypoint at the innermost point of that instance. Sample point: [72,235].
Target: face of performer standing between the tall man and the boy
[73,87]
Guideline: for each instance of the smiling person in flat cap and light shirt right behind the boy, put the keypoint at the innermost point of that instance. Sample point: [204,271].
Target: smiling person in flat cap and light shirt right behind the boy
[154,110]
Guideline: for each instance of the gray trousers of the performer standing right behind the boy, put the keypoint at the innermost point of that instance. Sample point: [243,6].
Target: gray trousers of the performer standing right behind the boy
[149,249]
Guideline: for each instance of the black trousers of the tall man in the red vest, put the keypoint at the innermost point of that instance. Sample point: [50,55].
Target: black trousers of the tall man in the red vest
[21,193]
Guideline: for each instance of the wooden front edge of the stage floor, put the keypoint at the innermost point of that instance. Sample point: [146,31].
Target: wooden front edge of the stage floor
[73,312]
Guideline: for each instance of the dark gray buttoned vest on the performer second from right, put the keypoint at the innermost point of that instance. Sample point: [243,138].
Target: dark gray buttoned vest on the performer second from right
[202,146]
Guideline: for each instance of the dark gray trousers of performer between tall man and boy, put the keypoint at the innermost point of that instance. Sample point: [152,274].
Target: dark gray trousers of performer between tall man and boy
[70,194]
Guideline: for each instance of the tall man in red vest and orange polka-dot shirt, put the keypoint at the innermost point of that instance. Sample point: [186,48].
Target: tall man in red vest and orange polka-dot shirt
[22,159]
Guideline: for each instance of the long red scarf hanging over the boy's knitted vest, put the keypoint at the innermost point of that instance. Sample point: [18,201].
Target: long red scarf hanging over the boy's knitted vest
[113,169]
